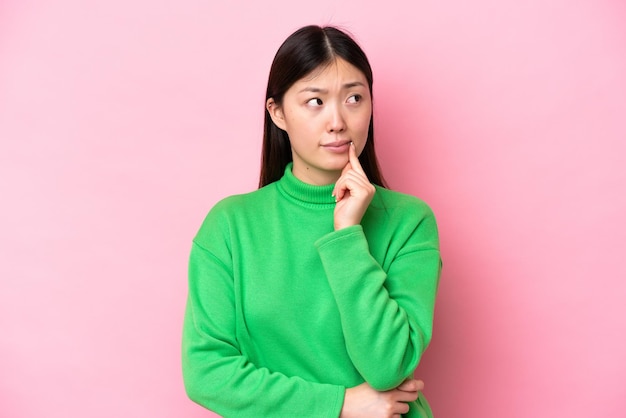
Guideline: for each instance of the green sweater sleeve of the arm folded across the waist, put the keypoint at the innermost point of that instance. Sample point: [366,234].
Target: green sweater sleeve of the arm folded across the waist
[216,373]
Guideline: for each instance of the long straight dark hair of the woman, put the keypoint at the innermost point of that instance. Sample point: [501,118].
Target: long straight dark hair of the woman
[301,53]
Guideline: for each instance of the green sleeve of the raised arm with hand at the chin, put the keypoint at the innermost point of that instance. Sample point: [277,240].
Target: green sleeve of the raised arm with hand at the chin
[386,313]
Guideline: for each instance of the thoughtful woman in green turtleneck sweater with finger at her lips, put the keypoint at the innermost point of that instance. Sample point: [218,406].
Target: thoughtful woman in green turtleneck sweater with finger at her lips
[313,296]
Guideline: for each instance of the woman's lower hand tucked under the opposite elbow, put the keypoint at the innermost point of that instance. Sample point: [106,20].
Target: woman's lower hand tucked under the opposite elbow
[364,402]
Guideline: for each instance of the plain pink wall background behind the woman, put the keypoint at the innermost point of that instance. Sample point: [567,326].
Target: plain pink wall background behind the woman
[123,122]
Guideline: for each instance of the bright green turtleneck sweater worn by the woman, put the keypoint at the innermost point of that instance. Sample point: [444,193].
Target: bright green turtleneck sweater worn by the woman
[284,313]
